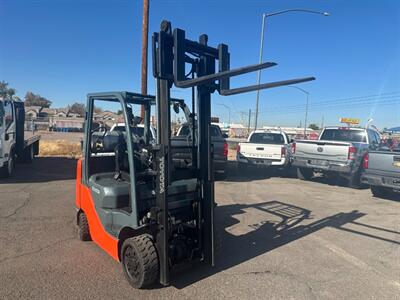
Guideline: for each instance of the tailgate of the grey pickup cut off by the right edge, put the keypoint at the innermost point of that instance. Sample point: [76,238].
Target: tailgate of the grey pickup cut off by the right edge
[389,162]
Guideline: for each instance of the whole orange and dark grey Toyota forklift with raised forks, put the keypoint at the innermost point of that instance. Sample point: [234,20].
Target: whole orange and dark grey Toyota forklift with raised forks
[132,200]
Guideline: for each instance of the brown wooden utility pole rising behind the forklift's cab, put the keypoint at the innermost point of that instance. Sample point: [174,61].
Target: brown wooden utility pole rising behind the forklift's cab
[145,41]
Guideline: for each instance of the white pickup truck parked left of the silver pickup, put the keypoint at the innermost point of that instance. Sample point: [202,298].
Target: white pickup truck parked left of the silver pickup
[265,149]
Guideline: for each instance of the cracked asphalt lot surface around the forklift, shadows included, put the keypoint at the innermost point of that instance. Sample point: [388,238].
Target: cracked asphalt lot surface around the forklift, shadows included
[282,239]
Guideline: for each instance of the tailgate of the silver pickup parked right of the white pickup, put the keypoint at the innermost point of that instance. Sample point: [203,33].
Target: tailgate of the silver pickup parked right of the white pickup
[324,150]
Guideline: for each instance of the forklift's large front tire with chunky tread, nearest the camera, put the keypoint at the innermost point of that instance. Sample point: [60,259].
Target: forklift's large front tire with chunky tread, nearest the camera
[140,261]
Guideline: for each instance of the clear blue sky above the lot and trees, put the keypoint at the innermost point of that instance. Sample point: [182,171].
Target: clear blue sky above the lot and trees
[64,49]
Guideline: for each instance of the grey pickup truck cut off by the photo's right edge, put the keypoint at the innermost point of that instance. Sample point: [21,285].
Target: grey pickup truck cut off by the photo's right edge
[382,171]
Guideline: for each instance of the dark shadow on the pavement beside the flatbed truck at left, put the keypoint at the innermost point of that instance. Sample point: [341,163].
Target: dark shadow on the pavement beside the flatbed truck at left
[43,169]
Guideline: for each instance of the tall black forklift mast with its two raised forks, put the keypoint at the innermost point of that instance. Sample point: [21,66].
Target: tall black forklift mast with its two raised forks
[209,72]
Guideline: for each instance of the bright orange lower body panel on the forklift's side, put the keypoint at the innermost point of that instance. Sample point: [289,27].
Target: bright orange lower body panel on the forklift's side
[85,202]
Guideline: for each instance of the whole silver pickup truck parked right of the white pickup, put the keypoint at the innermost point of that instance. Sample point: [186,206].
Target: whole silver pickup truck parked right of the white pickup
[339,151]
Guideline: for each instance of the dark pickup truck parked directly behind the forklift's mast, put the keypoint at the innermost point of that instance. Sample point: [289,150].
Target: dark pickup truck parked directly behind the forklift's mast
[182,156]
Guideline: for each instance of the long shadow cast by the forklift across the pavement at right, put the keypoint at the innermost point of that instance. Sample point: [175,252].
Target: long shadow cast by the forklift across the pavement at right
[267,235]
